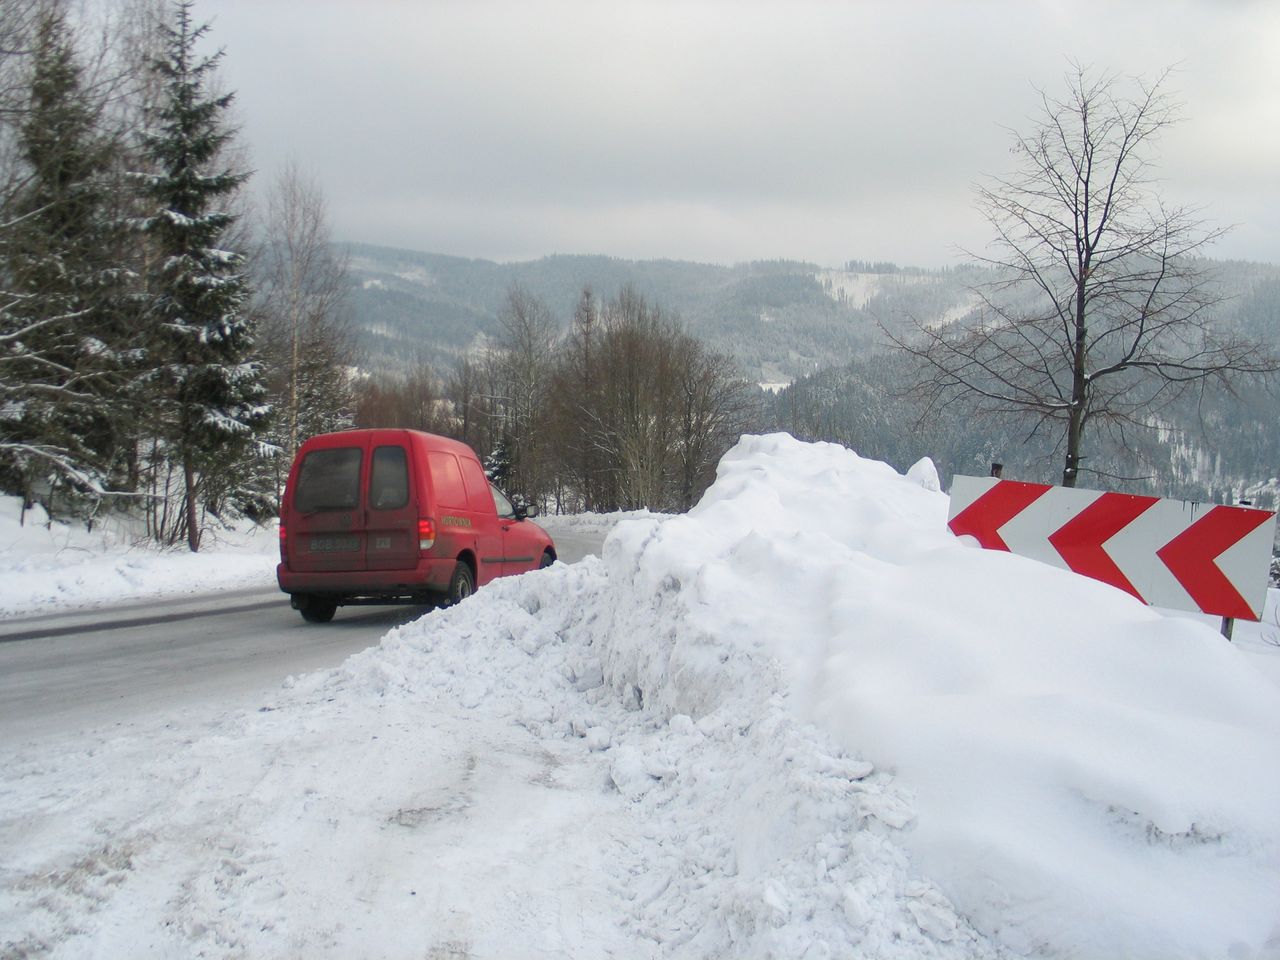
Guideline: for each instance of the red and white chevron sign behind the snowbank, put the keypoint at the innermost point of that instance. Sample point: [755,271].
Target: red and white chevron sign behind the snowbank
[1168,554]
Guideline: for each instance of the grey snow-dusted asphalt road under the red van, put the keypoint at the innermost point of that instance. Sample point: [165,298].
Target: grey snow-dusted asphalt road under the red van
[228,651]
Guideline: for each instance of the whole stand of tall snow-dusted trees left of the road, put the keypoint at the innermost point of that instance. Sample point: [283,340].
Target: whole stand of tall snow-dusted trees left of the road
[140,323]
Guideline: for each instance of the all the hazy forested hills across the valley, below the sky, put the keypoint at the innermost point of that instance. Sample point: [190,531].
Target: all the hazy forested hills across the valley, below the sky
[815,336]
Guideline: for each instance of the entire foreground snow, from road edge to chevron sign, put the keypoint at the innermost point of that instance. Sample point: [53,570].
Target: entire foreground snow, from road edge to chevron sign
[802,721]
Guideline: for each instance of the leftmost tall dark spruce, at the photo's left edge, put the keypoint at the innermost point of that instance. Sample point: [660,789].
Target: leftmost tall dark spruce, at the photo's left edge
[63,339]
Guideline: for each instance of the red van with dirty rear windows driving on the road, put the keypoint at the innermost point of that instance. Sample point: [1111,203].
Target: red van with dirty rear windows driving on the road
[397,516]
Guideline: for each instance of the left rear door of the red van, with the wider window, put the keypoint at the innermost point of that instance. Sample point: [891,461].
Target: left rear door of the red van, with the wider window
[327,516]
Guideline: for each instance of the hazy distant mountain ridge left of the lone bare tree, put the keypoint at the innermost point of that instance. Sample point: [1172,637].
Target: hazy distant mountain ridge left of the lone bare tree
[779,319]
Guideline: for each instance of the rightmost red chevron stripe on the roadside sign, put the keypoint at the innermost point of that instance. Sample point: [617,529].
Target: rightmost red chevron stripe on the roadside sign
[1191,559]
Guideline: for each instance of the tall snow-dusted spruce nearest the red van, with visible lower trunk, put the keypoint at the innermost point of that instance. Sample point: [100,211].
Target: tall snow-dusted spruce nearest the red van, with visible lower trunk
[208,394]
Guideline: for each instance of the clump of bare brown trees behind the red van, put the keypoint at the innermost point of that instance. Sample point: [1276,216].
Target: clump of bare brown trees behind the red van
[621,410]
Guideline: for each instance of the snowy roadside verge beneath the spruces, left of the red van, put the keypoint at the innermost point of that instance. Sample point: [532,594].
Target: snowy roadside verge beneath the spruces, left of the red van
[53,566]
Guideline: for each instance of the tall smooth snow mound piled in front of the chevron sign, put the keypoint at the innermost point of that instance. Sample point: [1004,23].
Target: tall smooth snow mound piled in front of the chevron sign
[1090,778]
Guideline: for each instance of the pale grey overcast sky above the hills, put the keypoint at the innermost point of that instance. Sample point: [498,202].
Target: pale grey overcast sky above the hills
[725,131]
